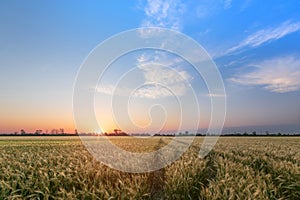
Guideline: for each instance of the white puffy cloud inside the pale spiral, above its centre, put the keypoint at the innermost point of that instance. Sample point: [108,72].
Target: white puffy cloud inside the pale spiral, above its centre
[162,78]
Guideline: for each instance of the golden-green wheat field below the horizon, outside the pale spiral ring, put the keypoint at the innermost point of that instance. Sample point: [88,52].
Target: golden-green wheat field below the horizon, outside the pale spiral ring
[237,168]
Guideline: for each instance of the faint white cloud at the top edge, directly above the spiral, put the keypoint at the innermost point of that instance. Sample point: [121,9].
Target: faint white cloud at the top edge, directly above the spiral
[164,14]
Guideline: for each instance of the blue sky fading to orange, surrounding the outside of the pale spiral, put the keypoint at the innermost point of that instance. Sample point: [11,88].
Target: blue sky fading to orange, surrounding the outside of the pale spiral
[255,45]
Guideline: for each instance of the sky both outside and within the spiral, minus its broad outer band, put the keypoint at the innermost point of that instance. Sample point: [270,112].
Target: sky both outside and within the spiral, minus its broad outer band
[254,44]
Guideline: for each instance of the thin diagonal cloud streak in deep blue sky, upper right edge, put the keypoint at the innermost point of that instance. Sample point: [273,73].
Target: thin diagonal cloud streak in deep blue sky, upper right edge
[267,35]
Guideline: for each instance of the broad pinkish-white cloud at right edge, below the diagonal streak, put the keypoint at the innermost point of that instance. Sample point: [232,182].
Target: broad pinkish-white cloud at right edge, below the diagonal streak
[279,75]
